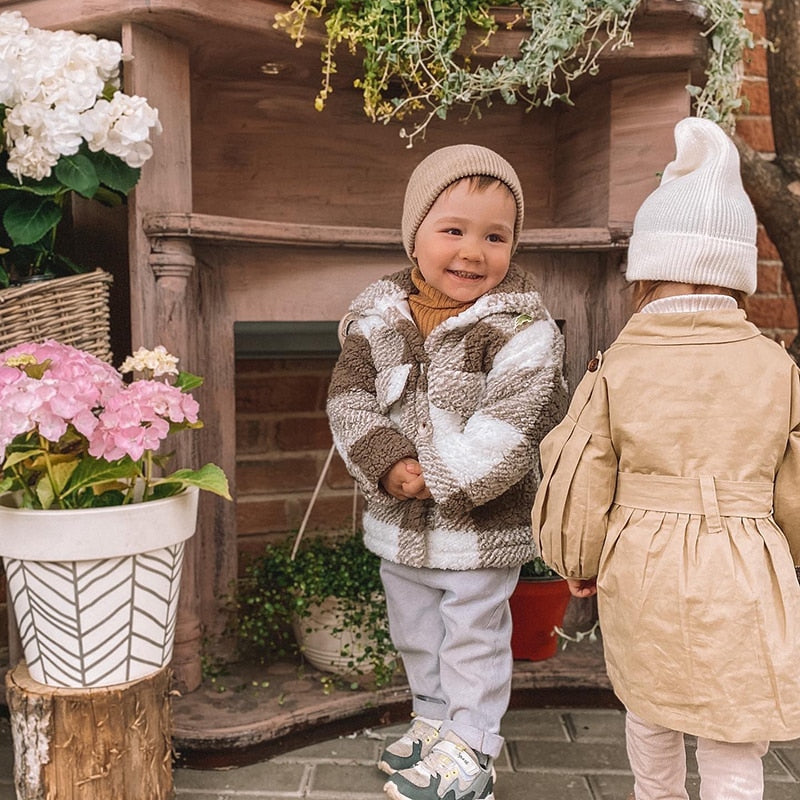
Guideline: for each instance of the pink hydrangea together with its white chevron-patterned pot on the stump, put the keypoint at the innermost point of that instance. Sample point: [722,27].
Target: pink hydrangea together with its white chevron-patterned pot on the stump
[92,525]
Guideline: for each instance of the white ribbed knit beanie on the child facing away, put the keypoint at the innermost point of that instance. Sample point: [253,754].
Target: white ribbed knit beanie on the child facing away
[699,225]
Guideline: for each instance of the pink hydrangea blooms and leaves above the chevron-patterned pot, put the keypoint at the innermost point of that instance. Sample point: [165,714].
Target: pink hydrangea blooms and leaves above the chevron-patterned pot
[84,437]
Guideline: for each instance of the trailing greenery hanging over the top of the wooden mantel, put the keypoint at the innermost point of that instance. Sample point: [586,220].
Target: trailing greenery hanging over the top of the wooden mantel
[415,65]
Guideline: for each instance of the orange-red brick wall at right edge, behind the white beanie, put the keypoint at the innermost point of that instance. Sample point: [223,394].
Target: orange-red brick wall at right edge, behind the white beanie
[772,308]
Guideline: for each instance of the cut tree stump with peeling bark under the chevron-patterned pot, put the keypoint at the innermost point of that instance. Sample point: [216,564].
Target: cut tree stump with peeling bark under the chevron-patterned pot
[91,744]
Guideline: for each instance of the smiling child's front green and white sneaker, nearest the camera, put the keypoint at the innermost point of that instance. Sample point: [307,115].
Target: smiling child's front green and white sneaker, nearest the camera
[450,771]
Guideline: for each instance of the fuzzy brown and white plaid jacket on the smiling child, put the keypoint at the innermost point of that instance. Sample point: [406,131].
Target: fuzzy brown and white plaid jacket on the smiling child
[471,403]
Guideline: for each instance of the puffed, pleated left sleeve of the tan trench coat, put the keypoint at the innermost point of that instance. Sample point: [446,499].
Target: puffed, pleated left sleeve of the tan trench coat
[579,463]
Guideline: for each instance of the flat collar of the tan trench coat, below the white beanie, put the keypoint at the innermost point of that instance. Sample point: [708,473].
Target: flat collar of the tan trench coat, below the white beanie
[696,327]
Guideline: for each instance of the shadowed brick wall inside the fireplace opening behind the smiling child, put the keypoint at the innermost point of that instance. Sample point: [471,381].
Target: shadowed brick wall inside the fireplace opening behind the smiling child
[282,441]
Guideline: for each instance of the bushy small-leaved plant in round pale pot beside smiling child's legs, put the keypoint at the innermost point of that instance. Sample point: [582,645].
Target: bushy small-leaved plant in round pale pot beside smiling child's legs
[325,604]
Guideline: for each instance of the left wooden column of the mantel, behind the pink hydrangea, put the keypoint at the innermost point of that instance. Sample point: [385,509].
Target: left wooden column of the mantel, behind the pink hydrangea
[162,280]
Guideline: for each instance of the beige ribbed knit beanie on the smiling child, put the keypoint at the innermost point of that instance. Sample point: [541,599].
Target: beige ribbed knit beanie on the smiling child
[445,166]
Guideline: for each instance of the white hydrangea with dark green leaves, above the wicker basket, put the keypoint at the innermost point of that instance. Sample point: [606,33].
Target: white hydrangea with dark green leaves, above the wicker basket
[66,129]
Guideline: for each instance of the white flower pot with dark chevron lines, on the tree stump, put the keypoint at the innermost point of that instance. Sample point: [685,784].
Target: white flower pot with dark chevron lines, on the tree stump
[95,591]
